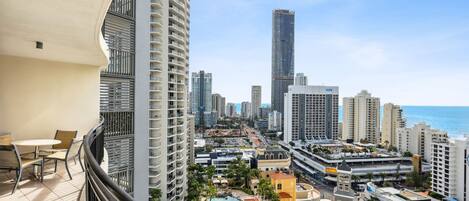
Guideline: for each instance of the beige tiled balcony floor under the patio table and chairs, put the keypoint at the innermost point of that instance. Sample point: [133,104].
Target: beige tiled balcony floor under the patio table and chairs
[56,186]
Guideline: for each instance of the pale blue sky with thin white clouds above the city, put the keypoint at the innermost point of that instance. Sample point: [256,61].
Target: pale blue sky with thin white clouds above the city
[409,52]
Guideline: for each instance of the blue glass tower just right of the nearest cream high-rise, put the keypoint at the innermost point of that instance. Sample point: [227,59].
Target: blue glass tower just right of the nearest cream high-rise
[202,99]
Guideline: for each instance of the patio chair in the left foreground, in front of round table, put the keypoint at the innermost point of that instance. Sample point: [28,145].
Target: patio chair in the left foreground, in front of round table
[10,159]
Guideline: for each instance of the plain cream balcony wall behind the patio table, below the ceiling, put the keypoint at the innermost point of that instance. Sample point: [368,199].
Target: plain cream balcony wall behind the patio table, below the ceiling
[37,97]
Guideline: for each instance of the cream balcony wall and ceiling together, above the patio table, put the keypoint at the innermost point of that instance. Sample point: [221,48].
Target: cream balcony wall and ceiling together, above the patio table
[51,53]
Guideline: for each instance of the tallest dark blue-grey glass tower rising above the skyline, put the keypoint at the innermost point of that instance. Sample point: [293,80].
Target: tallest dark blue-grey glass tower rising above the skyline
[283,33]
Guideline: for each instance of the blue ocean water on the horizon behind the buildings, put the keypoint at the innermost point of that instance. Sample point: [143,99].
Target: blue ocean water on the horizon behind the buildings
[454,120]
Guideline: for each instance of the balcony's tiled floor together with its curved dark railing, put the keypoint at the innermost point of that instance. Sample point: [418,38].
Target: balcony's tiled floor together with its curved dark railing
[91,184]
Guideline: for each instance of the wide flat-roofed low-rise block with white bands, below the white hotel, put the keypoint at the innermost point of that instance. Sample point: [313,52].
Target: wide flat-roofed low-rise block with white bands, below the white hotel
[321,161]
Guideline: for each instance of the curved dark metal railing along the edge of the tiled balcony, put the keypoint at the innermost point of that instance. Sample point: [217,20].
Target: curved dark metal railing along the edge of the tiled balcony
[99,186]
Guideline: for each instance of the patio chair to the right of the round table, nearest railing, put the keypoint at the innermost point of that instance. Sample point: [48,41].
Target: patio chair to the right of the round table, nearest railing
[72,152]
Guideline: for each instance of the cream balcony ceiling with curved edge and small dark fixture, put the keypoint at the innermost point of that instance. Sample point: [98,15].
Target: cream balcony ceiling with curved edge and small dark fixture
[70,30]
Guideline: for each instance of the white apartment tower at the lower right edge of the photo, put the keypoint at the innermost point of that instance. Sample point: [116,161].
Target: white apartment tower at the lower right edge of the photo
[450,169]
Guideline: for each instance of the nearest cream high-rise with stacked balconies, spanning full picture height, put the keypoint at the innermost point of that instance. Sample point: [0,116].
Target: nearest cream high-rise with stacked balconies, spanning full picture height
[162,80]
